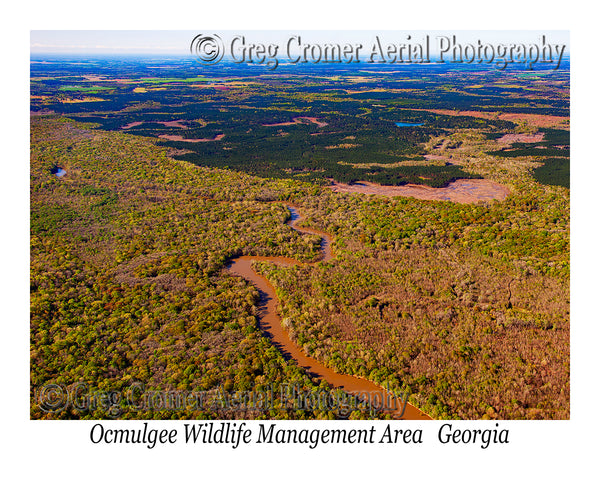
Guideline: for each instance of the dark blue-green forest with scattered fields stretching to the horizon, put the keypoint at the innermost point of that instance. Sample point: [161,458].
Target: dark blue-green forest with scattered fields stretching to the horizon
[314,127]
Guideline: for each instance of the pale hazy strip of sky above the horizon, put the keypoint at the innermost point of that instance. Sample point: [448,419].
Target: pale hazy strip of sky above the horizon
[178,42]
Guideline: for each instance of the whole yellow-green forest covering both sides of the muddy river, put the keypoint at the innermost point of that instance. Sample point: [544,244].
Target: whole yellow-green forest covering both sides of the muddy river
[461,305]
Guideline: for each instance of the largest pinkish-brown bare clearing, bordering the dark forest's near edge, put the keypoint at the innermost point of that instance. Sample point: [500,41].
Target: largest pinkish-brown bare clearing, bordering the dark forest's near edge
[460,191]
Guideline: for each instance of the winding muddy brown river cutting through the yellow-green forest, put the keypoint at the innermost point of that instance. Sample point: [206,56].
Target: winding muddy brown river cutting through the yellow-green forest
[270,323]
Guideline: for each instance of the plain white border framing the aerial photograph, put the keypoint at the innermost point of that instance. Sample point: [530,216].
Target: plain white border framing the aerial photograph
[550,449]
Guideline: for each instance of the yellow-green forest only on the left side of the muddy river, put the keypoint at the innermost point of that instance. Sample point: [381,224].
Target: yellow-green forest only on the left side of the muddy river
[126,285]
